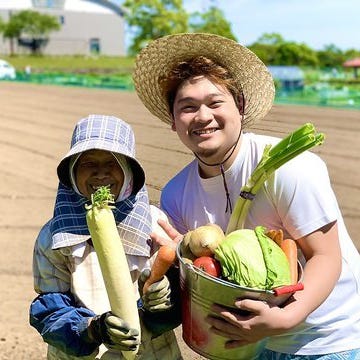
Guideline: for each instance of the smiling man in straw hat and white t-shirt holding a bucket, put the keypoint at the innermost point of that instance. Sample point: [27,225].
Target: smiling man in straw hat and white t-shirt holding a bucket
[209,89]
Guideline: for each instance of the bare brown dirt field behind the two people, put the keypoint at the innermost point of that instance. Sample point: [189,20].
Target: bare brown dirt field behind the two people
[36,122]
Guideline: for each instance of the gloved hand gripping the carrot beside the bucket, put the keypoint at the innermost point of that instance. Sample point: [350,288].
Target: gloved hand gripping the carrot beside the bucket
[157,296]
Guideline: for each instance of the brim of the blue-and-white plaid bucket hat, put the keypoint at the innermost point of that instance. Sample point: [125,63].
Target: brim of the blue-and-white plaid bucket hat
[64,165]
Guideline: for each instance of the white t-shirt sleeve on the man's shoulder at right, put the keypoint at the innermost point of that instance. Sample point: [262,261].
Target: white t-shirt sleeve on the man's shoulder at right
[303,195]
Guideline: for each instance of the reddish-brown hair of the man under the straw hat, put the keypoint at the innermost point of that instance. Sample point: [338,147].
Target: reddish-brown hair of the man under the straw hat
[197,66]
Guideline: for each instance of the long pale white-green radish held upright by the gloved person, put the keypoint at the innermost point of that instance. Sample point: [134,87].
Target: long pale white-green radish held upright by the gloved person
[112,260]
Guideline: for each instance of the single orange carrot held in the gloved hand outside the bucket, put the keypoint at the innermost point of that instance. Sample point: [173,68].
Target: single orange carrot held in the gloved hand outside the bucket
[165,257]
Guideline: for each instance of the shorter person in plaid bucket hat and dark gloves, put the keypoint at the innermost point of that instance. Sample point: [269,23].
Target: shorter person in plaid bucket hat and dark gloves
[72,311]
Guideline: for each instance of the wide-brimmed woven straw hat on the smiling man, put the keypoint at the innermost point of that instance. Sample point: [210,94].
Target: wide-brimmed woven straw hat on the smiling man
[161,55]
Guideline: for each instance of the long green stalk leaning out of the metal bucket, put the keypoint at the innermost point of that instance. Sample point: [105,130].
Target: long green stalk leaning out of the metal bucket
[304,138]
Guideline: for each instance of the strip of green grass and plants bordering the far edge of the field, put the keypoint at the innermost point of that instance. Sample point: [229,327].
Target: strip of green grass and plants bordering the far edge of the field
[115,72]
